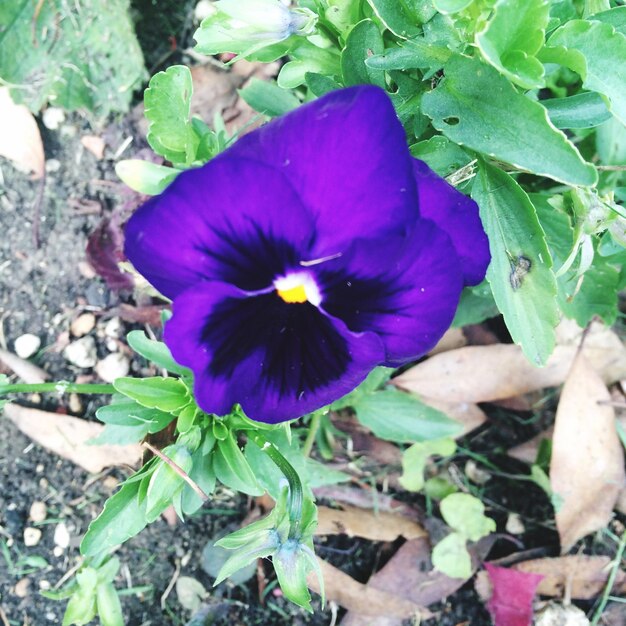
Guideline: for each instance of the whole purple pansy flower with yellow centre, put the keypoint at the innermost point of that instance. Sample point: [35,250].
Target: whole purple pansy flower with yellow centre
[311,251]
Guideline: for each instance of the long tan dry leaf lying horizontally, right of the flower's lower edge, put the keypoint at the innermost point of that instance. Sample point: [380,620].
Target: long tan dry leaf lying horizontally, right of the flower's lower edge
[487,373]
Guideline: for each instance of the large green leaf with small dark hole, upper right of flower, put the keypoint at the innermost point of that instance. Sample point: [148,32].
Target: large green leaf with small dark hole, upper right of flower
[477,107]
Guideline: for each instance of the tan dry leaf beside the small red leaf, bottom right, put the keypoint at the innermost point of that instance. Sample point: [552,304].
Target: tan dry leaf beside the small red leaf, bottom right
[583,577]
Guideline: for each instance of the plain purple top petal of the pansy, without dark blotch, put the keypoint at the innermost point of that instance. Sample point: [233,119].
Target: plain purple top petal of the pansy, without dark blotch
[347,158]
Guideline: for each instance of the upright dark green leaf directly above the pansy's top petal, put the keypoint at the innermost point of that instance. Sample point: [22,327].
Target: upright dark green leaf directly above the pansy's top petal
[363,41]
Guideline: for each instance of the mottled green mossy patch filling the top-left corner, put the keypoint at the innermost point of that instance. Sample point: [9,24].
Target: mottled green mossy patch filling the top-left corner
[73,56]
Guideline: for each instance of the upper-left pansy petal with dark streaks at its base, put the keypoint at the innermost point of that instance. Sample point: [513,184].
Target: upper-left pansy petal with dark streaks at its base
[233,220]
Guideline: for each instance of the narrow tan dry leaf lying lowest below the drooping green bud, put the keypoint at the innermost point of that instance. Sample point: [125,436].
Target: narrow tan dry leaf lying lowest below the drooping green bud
[353,595]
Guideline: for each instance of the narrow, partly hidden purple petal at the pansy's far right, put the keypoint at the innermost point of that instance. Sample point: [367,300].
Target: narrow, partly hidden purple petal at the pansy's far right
[456,214]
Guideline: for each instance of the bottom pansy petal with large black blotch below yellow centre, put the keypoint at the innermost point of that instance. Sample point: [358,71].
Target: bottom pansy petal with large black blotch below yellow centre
[278,360]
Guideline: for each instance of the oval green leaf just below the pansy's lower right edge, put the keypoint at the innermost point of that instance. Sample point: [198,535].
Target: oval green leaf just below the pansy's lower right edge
[398,416]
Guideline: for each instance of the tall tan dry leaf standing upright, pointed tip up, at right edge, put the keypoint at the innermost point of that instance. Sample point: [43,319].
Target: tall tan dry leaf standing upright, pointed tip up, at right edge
[587,466]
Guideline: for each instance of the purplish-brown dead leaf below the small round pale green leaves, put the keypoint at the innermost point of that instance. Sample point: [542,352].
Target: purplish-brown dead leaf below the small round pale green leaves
[409,574]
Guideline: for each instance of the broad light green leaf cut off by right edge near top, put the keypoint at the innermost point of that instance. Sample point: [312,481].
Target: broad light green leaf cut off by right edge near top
[597,52]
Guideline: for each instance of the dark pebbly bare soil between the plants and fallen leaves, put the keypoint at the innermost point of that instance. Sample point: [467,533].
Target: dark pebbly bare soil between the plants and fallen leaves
[42,290]
